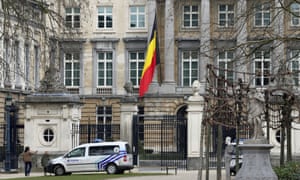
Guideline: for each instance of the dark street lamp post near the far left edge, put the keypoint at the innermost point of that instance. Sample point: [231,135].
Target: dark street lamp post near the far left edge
[8,105]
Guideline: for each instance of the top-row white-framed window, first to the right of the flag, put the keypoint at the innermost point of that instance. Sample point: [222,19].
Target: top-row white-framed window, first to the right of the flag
[190,16]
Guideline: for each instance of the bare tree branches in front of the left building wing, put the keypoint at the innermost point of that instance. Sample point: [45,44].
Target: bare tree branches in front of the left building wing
[27,23]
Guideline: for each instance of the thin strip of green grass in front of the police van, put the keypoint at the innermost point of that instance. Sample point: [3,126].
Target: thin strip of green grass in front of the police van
[93,176]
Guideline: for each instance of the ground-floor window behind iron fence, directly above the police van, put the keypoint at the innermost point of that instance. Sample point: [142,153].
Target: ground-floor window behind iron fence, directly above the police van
[104,122]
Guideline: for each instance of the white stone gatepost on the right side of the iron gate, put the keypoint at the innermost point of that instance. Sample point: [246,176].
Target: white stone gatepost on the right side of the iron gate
[195,114]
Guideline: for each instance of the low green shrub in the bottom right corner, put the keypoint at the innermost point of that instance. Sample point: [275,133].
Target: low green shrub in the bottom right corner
[290,171]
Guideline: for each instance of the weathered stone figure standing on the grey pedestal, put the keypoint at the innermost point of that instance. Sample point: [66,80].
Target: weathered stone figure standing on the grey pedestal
[255,110]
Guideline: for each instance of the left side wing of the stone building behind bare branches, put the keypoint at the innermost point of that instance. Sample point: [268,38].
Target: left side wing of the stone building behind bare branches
[23,54]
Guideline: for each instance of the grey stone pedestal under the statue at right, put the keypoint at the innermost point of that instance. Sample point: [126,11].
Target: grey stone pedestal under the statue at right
[256,163]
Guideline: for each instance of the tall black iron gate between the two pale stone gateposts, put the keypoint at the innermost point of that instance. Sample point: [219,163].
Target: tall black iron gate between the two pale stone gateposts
[160,140]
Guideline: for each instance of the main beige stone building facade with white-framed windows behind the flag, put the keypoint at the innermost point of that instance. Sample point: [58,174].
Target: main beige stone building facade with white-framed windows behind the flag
[107,46]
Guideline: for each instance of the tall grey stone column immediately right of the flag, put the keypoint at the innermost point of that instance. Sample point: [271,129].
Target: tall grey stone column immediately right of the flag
[168,85]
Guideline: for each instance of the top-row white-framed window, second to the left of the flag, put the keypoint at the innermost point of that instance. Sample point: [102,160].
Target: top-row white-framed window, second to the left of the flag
[105,17]
